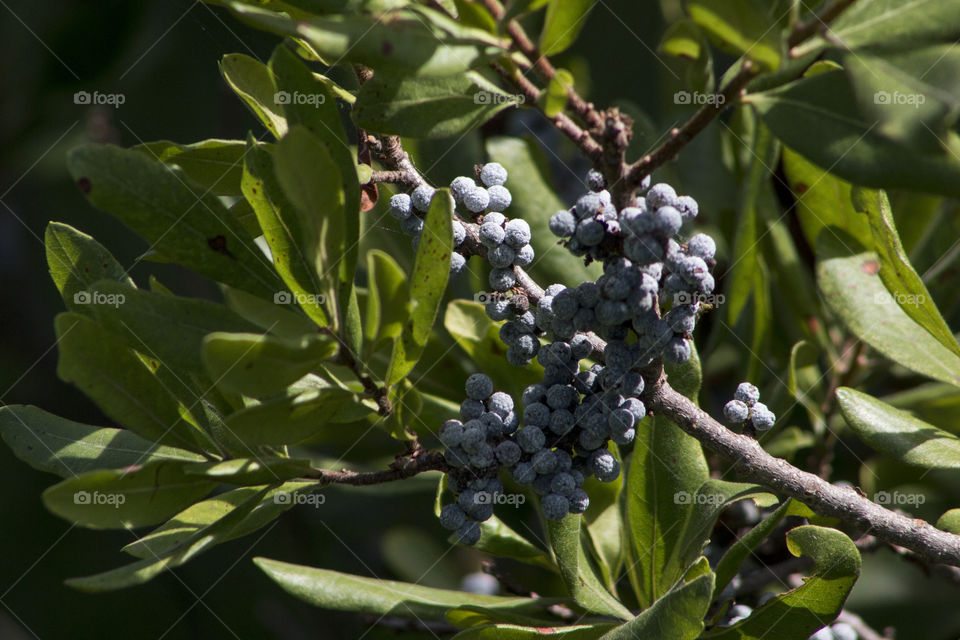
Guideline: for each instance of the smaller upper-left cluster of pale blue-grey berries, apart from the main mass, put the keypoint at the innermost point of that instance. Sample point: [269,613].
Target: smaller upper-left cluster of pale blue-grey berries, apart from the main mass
[507,242]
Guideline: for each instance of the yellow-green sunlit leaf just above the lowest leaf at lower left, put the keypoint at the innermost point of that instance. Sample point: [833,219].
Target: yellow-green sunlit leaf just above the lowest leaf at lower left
[265,506]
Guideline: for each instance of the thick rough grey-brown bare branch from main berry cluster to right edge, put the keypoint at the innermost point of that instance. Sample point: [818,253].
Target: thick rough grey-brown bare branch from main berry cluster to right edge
[846,504]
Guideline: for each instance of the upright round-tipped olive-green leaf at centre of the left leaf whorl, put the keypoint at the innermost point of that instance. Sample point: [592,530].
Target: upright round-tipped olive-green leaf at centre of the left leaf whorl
[311,181]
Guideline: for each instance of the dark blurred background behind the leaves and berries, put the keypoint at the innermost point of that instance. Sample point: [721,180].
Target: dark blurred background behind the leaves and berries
[162,56]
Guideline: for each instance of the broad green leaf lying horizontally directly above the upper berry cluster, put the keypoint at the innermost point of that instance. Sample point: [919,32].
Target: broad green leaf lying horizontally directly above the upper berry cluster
[428,107]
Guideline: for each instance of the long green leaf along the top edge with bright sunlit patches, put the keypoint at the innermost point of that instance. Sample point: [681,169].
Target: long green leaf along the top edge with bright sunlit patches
[400,42]
